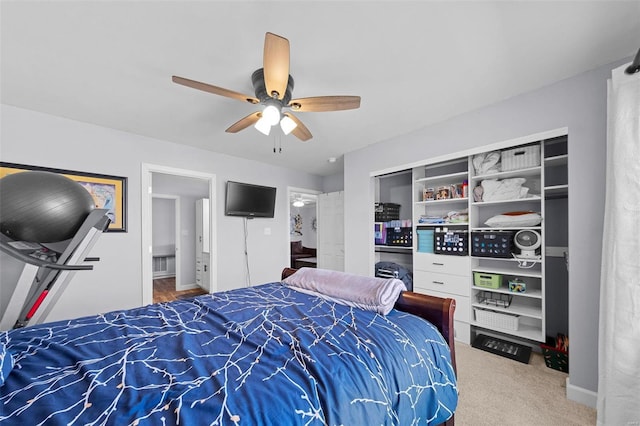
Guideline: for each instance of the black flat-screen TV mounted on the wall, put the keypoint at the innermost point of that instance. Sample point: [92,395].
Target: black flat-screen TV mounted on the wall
[247,200]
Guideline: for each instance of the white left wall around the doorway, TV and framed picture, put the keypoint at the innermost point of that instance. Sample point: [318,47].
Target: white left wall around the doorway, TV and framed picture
[29,137]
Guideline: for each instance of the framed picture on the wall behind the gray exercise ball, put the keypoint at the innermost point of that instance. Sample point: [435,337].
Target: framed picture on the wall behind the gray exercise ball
[108,192]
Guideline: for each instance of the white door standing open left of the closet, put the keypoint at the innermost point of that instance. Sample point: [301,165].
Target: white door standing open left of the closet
[331,231]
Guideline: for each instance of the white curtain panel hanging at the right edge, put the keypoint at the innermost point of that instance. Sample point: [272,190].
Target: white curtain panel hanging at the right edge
[619,340]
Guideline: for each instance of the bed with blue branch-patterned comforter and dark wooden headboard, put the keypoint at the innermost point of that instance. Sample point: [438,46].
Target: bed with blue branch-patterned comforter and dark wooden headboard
[264,355]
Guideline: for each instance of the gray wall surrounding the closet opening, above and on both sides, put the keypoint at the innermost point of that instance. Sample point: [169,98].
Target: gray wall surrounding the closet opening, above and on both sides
[578,103]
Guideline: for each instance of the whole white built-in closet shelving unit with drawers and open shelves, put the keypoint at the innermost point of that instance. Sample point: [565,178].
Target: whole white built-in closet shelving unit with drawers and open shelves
[452,276]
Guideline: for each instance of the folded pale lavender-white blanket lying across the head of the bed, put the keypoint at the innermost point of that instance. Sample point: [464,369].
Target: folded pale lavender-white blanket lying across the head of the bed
[370,293]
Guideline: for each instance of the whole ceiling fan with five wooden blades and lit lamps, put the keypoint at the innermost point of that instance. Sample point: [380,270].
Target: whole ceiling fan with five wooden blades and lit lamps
[273,86]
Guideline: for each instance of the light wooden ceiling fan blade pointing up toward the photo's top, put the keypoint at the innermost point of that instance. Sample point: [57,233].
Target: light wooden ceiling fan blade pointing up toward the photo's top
[276,64]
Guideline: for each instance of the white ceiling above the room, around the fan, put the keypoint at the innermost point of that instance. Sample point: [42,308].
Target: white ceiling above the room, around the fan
[414,63]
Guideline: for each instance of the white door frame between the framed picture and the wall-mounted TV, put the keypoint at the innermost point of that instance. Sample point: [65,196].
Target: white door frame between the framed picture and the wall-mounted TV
[146,197]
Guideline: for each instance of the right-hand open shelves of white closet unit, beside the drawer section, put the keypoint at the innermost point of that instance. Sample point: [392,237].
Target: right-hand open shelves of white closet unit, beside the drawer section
[531,305]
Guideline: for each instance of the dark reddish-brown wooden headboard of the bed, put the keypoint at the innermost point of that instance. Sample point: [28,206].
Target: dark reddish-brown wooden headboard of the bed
[437,310]
